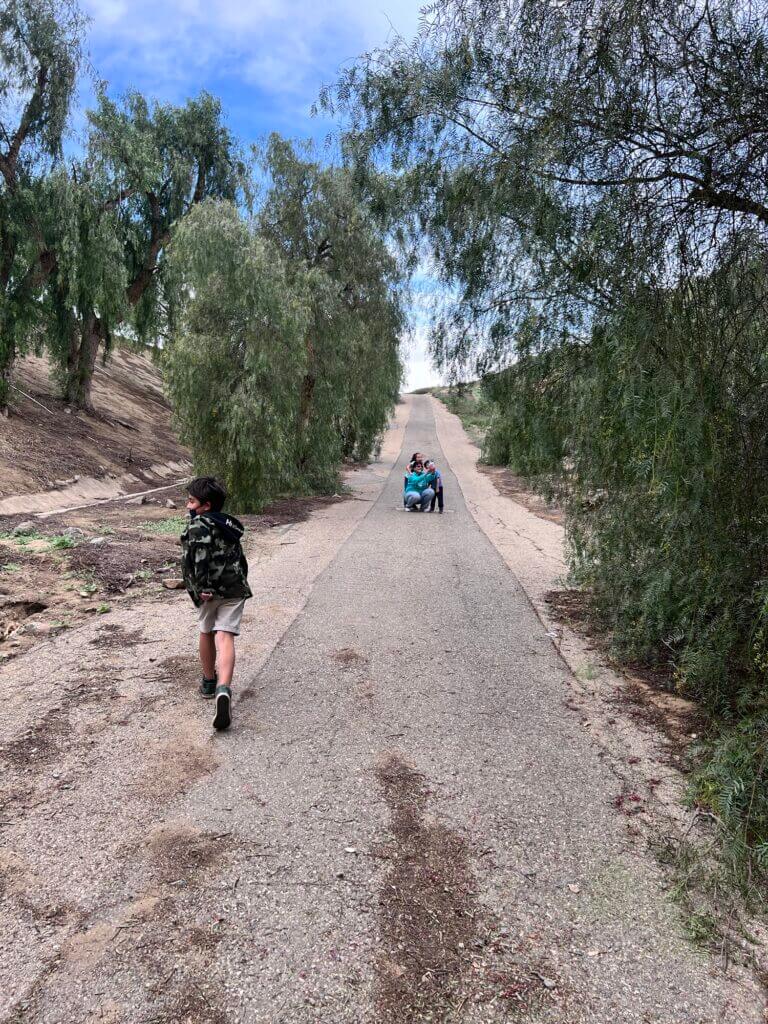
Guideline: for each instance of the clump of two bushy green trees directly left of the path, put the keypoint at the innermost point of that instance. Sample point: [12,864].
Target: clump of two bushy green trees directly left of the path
[286,358]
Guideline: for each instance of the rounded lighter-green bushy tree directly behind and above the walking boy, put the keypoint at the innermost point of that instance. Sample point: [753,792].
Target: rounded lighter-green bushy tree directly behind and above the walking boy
[235,366]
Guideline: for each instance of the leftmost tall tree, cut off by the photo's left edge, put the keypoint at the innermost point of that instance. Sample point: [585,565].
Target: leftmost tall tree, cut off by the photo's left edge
[40,55]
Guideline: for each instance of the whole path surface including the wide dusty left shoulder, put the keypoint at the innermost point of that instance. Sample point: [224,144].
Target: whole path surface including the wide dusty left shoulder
[407,823]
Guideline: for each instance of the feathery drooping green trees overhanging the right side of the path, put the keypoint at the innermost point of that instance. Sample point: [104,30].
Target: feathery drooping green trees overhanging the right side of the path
[590,180]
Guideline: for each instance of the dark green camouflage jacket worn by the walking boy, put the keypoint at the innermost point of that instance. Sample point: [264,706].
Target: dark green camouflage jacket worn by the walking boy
[212,560]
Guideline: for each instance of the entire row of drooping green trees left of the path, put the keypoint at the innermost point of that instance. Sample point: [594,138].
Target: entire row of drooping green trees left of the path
[277,321]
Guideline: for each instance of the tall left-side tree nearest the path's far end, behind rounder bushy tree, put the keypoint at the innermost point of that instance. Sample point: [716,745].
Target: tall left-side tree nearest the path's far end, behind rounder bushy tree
[330,242]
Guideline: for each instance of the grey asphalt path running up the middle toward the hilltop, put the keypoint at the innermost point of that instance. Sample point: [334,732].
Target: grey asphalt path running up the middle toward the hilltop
[408,824]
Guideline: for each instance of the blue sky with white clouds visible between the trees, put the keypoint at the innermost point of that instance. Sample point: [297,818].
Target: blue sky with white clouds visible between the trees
[267,60]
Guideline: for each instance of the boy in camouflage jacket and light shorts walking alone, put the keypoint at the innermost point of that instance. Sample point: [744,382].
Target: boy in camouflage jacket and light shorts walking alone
[216,574]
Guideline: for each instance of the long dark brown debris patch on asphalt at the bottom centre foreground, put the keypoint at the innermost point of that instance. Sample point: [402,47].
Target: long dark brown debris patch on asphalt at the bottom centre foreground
[440,950]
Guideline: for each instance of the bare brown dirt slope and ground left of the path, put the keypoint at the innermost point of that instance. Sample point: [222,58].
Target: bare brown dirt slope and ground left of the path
[74,543]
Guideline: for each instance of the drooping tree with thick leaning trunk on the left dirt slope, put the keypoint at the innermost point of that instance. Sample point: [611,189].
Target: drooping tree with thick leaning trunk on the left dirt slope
[147,167]
